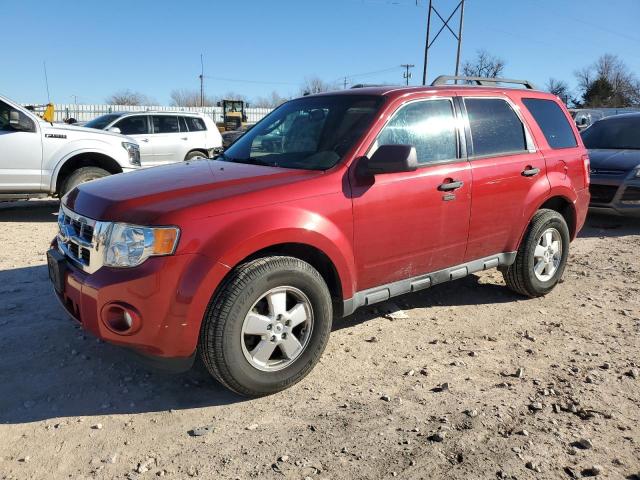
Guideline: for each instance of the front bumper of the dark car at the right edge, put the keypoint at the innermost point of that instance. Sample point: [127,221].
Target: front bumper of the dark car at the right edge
[618,196]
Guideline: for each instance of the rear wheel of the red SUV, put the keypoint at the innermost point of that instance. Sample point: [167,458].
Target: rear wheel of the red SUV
[542,256]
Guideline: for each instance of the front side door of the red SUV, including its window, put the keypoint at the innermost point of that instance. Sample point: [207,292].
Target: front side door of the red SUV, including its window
[408,223]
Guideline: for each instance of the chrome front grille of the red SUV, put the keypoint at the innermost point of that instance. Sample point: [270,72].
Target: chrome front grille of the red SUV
[79,239]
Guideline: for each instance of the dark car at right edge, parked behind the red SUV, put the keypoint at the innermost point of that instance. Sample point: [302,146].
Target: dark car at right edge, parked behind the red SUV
[614,149]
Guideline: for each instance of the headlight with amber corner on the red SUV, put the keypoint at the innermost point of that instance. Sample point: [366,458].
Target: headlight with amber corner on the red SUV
[131,245]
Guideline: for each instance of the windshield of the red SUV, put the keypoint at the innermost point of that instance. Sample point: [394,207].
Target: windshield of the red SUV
[311,133]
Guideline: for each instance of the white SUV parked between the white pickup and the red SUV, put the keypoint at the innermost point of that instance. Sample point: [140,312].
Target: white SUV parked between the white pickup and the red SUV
[164,137]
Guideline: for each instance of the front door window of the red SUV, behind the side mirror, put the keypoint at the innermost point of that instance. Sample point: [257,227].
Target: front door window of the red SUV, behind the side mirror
[428,125]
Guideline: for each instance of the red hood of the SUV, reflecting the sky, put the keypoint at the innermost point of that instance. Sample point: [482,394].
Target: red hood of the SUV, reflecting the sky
[168,192]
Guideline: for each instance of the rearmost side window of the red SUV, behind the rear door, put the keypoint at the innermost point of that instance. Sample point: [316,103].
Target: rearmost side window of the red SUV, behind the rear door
[552,122]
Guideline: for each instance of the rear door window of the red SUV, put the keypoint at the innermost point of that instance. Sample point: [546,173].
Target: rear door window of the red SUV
[495,127]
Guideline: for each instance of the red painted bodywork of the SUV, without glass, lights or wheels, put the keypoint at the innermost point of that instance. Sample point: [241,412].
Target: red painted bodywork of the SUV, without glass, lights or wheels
[374,232]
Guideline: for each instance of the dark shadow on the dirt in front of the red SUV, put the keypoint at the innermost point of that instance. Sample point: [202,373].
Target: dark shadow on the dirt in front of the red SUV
[51,368]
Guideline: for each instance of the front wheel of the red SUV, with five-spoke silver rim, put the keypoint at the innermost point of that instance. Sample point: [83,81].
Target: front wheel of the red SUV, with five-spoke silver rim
[267,326]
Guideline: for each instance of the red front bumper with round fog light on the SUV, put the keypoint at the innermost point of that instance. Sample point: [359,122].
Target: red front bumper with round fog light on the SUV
[166,293]
